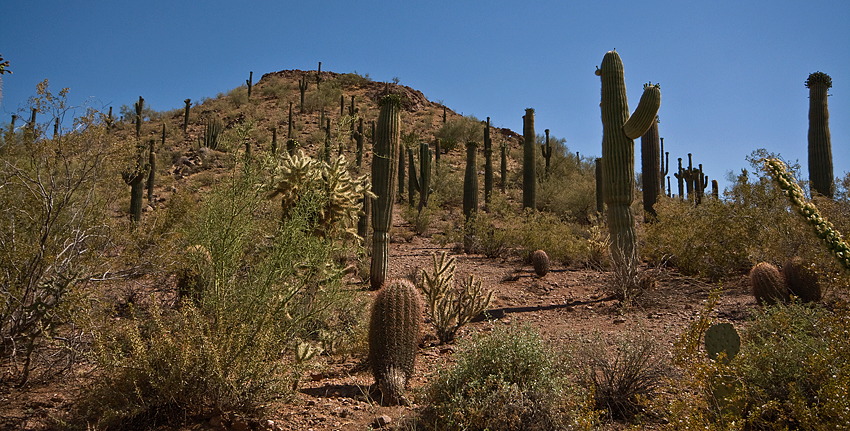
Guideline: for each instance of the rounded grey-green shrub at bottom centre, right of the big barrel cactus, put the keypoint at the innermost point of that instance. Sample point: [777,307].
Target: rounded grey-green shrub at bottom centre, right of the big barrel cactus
[506,380]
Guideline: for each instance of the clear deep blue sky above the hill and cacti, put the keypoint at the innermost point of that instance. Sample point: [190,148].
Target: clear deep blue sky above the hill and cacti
[731,72]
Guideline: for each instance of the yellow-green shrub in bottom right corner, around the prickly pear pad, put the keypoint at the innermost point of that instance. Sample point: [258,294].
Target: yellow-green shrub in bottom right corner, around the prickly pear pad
[792,372]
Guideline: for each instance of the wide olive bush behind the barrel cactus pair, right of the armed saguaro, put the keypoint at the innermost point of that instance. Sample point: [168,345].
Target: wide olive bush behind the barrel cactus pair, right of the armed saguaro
[725,238]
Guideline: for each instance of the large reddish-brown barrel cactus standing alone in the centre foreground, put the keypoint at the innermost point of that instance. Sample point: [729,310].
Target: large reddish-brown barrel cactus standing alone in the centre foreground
[393,337]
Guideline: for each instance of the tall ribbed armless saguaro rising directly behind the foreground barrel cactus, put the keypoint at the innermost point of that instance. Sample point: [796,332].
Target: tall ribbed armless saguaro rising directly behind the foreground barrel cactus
[384,154]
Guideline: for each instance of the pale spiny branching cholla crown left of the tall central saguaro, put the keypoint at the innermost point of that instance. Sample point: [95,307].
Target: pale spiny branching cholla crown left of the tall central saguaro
[341,194]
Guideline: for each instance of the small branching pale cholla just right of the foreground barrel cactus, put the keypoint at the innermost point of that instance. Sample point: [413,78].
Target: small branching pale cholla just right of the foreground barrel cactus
[450,307]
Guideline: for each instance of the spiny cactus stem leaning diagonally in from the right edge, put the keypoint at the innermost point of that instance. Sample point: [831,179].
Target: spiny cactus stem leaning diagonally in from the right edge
[823,228]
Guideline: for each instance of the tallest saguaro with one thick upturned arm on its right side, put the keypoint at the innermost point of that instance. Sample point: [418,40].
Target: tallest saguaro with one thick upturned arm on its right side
[618,151]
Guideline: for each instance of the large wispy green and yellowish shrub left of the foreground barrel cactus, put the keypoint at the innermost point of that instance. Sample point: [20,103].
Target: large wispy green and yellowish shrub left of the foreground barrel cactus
[263,288]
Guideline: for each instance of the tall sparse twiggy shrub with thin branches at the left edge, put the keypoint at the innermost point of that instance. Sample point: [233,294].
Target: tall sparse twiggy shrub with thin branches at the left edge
[53,229]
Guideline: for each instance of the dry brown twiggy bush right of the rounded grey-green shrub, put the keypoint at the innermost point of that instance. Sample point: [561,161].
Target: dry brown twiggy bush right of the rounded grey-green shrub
[623,381]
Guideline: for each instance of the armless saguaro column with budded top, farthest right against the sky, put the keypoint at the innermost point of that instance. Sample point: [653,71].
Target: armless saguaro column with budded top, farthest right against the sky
[820,146]
